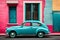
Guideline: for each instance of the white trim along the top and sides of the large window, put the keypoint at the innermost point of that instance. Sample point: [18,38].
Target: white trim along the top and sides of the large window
[32,2]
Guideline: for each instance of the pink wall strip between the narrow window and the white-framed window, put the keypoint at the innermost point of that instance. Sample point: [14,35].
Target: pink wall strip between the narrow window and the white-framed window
[20,12]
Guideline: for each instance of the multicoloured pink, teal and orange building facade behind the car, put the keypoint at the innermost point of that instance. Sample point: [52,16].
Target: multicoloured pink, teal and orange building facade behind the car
[15,12]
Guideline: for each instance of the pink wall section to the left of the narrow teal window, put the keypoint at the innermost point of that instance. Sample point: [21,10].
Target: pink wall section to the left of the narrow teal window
[3,15]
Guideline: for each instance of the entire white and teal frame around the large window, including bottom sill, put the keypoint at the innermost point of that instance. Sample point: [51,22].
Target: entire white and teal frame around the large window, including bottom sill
[40,11]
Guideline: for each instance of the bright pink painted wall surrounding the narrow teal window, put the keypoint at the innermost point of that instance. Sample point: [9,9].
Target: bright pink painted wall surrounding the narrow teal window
[4,14]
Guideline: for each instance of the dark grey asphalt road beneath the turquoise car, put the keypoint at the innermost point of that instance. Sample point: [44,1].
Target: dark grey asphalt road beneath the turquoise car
[30,38]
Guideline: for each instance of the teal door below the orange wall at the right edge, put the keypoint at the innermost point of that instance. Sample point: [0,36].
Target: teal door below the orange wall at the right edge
[56,21]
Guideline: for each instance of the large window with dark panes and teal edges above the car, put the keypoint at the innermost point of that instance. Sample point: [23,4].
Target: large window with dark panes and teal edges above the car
[31,11]
